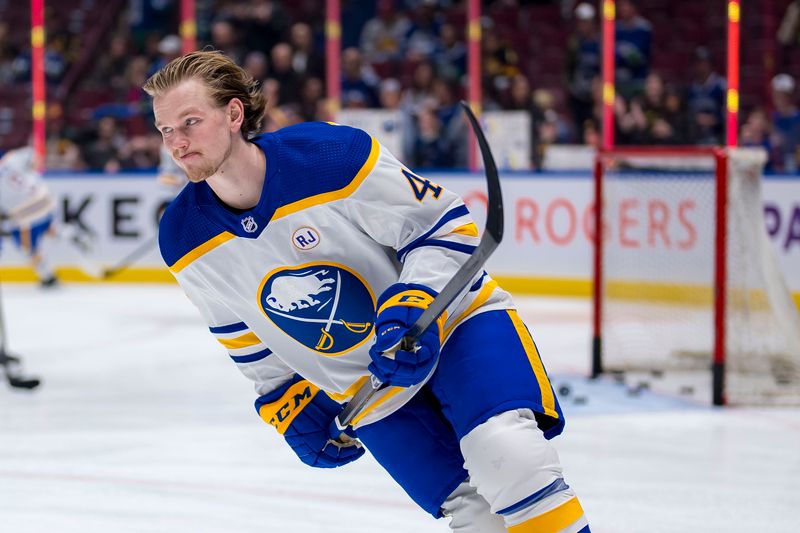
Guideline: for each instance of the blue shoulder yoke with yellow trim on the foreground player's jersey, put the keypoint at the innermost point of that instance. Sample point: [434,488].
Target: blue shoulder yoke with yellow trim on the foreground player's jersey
[307,164]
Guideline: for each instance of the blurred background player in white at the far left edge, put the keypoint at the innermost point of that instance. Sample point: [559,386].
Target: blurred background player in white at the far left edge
[27,208]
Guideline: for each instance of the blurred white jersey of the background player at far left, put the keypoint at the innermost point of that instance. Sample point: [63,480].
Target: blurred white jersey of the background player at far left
[24,198]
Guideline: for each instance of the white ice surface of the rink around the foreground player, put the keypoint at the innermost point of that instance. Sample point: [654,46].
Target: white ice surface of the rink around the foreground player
[143,424]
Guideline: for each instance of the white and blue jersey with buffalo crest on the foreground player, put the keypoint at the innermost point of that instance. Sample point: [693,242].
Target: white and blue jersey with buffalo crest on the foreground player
[290,286]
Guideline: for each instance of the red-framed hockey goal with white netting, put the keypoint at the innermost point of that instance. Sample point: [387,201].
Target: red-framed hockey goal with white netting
[688,292]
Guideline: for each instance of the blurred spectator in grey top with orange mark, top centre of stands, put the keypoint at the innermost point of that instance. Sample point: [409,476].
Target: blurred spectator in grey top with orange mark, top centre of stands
[383,36]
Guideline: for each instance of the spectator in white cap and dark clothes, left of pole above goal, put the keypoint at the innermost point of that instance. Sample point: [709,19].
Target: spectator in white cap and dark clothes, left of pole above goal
[582,65]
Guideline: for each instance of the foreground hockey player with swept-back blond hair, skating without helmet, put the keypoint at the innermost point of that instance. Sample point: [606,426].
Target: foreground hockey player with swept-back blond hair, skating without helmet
[309,252]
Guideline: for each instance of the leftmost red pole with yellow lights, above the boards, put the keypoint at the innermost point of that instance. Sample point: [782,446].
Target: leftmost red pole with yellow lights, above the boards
[39,107]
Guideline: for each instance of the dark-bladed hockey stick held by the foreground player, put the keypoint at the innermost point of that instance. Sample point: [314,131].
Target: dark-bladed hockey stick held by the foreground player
[492,236]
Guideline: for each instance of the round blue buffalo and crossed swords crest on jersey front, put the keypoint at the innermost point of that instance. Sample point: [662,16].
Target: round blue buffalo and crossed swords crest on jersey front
[325,307]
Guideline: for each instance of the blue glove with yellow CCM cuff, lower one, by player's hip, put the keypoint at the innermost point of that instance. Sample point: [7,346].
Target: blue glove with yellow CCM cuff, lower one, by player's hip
[305,416]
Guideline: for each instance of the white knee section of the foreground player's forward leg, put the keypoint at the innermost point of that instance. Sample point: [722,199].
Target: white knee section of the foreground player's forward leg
[509,460]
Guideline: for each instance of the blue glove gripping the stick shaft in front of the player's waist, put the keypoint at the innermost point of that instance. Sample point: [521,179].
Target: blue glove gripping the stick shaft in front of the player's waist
[398,308]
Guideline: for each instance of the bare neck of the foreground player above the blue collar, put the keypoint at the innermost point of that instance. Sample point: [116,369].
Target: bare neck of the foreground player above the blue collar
[239,181]
